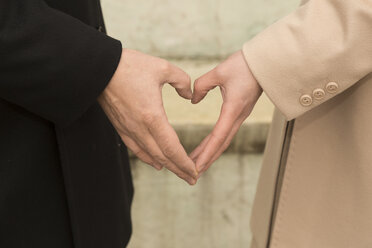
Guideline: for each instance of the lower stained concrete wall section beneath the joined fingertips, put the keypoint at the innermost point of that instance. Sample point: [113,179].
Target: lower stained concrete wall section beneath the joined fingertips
[215,213]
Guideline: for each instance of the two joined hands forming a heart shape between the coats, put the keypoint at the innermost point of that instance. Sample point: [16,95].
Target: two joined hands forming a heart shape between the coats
[133,102]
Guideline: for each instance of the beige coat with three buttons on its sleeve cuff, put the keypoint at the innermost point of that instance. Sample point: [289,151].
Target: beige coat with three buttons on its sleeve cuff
[315,188]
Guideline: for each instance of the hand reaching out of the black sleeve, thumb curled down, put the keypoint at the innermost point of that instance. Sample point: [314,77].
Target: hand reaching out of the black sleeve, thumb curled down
[133,103]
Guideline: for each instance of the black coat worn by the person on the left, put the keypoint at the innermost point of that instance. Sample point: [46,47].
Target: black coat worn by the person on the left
[64,173]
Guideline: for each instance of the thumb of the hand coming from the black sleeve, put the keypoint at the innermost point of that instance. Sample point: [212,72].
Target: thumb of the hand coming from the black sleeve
[181,81]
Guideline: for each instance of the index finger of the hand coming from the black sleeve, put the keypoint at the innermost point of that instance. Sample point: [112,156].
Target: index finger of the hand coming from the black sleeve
[168,142]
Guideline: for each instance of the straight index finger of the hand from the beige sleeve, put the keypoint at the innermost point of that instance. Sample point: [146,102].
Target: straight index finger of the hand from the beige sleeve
[219,134]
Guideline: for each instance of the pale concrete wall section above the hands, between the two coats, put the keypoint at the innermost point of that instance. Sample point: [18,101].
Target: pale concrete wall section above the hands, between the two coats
[190,28]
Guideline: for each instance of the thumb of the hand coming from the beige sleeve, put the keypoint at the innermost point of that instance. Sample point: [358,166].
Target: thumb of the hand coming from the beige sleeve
[203,85]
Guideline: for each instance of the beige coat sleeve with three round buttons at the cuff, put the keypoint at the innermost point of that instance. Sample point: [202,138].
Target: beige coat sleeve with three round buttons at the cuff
[313,54]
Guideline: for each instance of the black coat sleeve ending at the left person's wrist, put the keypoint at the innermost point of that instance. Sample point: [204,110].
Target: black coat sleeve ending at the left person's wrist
[51,63]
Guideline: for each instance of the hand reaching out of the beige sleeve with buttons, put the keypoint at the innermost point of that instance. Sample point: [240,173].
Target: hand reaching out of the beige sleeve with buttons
[240,92]
